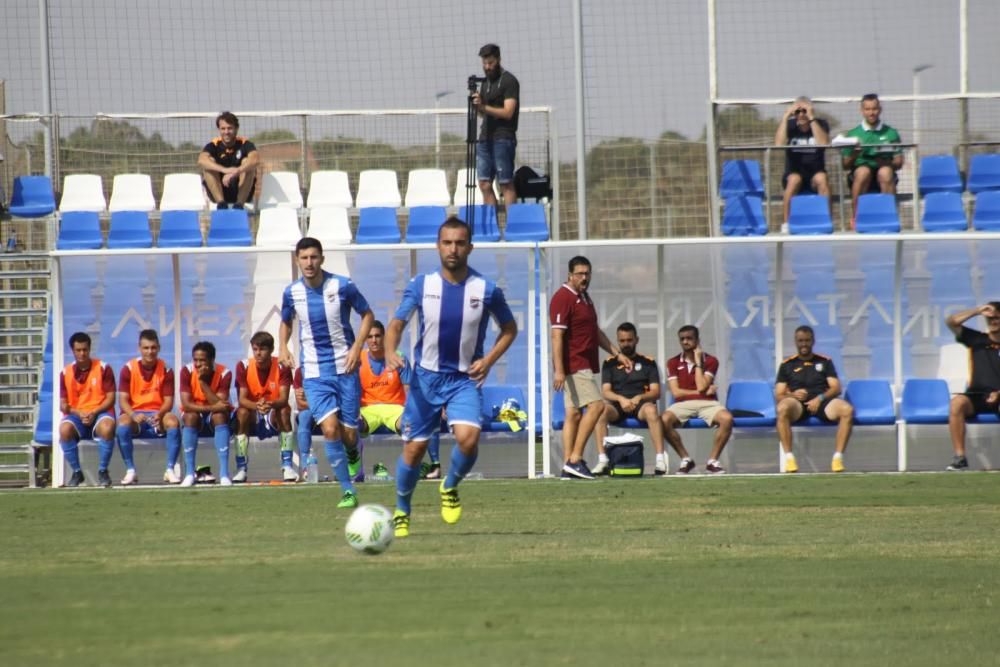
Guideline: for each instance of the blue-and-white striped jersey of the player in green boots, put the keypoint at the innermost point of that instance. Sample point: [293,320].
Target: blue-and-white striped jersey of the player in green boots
[325,333]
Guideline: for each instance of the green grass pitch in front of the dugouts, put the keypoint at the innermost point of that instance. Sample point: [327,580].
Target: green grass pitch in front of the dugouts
[808,570]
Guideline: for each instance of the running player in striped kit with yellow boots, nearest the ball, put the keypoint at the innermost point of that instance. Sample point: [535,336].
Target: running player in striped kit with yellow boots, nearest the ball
[449,365]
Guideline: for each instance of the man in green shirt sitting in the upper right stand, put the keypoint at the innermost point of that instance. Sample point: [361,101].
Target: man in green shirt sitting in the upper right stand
[872,168]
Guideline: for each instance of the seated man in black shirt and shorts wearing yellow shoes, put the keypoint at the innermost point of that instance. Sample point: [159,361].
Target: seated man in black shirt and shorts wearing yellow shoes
[807,386]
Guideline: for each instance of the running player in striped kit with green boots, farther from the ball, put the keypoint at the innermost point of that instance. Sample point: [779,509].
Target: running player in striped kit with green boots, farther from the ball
[330,354]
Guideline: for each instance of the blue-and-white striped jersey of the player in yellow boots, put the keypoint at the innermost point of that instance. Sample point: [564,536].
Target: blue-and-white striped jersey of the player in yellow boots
[453,319]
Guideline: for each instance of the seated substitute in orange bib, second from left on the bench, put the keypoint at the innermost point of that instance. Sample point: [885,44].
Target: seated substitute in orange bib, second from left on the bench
[146,400]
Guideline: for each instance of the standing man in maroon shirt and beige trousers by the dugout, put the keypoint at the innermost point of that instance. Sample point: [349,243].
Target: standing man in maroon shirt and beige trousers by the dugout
[575,339]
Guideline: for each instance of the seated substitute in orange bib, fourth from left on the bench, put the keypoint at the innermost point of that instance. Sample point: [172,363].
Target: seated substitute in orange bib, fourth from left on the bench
[262,385]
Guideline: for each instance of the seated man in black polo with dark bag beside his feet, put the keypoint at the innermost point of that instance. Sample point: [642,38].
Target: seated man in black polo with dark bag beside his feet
[629,393]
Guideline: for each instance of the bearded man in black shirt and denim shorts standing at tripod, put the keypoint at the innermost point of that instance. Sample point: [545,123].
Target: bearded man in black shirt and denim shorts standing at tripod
[497,103]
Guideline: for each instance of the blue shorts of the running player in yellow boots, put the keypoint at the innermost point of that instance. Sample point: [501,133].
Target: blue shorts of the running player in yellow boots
[429,392]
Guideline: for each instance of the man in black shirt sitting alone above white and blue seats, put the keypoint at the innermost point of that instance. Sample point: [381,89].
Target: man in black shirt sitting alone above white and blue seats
[229,164]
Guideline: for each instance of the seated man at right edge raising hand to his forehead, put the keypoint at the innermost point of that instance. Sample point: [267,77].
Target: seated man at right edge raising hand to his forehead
[983,393]
